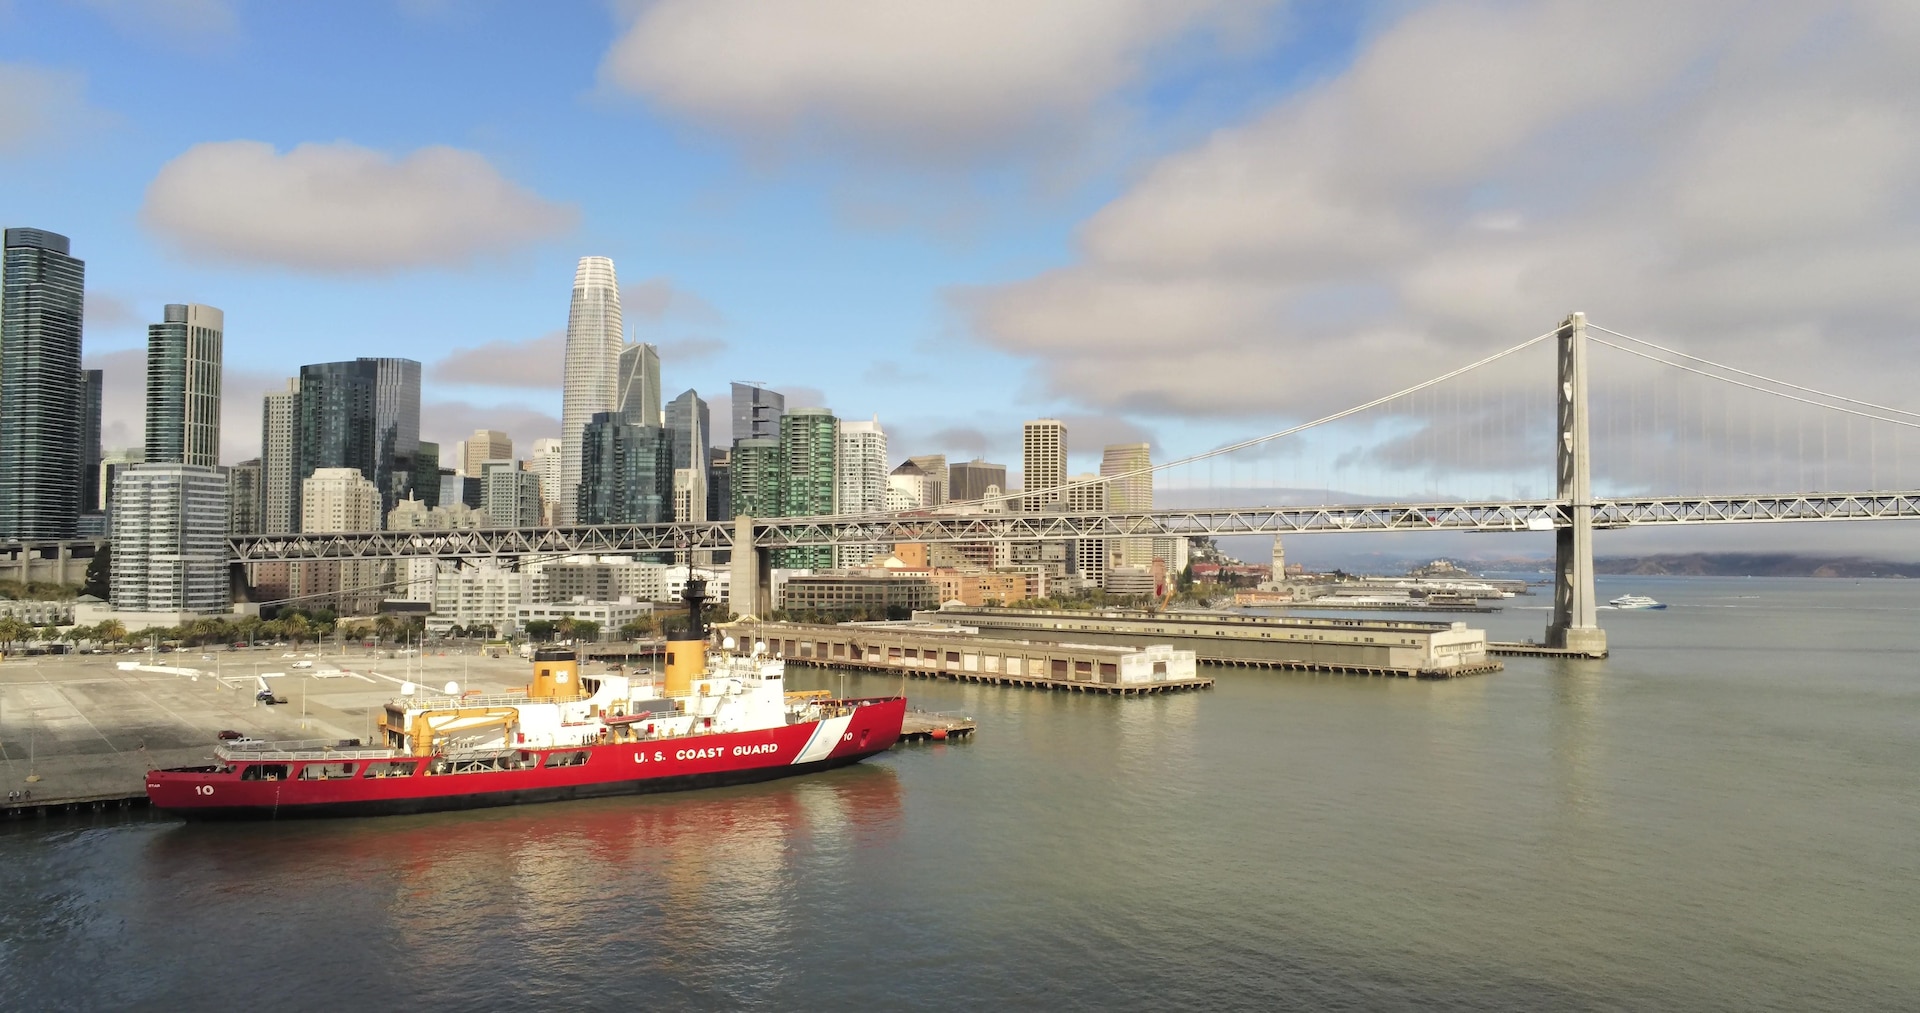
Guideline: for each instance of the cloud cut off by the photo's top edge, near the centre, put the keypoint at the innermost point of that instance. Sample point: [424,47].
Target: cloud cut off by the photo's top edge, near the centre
[932,78]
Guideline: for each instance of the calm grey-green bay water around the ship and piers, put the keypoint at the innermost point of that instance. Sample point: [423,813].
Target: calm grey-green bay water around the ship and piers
[1723,816]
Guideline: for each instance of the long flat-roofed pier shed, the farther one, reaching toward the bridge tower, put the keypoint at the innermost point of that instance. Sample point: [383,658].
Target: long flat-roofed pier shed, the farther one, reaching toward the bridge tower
[1358,648]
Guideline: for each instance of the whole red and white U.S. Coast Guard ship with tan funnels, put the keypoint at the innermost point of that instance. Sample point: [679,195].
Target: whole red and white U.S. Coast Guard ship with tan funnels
[717,719]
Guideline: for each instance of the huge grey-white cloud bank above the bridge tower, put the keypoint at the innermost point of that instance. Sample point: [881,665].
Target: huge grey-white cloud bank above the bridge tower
[1723,172]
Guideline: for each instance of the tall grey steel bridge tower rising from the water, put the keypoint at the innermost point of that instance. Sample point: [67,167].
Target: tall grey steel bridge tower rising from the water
[1575,626]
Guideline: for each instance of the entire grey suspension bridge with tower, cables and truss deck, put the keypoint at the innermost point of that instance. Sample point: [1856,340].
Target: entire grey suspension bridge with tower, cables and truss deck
[1679,440]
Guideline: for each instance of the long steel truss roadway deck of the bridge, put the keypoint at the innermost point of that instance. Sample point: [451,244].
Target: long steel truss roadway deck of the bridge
[1535,515]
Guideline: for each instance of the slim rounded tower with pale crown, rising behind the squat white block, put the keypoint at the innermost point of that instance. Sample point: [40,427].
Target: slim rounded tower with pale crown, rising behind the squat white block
[183,387]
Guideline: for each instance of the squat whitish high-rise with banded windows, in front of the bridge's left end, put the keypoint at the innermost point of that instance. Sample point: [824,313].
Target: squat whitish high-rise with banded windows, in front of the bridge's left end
[170,540]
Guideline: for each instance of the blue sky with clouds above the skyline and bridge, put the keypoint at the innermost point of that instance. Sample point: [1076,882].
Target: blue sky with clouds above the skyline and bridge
[1182,222]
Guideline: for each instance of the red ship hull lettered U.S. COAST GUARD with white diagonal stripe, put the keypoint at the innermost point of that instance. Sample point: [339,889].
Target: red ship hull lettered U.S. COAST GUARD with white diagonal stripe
[615,768]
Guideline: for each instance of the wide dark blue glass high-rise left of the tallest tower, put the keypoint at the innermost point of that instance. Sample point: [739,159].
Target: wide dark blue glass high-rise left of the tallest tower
[364,415]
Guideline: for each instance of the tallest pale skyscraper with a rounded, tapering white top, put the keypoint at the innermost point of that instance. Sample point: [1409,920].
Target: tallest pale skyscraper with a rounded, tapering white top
[590,383]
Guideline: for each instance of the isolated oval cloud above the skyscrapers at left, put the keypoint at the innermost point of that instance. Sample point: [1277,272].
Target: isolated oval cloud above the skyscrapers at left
[341,208]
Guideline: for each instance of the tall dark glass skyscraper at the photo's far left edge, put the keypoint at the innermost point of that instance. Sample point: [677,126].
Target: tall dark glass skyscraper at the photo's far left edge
[43,298]
